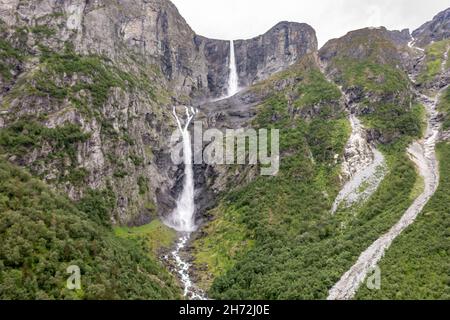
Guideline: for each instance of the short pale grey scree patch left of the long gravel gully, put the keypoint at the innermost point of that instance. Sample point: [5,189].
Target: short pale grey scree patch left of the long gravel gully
[364,166]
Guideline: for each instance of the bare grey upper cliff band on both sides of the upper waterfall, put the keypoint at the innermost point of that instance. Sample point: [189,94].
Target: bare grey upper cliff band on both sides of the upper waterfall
[194,66]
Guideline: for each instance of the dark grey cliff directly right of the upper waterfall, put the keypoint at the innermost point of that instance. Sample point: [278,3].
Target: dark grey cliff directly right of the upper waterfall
[273,51]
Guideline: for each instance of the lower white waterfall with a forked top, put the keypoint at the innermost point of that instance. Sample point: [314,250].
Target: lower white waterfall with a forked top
[182,218]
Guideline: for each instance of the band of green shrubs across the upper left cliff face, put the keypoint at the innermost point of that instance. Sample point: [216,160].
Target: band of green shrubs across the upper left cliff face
[86,81]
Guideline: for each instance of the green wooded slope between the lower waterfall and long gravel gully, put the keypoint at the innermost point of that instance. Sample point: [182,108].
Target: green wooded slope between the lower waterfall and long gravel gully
[296,249]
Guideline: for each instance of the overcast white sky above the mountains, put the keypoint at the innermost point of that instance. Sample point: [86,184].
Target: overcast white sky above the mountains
[242,19]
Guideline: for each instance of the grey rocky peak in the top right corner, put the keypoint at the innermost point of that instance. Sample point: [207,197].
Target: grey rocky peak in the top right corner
[434,30]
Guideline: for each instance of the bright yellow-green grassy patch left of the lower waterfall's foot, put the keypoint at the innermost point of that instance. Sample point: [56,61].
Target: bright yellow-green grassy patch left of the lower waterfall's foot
[155,235]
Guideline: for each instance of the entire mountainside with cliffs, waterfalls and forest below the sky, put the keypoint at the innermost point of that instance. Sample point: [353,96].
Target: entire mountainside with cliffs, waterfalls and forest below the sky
[92,94]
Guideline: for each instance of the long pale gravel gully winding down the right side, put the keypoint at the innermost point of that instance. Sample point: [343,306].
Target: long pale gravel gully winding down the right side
[423,154]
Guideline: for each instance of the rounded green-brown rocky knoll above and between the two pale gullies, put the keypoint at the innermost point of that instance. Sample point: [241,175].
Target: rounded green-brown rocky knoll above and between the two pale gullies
[382,87]
